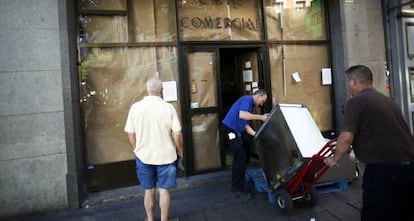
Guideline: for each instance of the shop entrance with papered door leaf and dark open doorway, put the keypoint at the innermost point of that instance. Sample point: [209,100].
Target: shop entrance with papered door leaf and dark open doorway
[215,78]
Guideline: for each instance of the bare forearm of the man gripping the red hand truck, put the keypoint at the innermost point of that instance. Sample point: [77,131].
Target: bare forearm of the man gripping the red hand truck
[342,146]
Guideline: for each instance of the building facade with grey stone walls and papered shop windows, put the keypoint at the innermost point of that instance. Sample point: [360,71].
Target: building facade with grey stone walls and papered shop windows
[71,69]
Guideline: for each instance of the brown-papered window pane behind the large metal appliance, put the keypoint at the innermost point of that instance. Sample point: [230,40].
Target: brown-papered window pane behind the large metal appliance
[301,59]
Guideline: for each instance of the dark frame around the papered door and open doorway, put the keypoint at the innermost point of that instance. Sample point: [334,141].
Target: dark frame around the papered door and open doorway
[185,88]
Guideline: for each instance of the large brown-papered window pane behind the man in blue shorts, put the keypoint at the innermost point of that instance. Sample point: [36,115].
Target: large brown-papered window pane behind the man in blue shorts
[112,80]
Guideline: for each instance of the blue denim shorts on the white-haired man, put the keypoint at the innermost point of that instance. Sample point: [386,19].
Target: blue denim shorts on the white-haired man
[148,175]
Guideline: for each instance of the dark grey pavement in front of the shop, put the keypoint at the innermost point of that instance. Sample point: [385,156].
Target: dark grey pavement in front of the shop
[208,198]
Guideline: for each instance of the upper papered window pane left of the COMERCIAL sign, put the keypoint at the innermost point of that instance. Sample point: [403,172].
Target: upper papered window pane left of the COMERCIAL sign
[140,21]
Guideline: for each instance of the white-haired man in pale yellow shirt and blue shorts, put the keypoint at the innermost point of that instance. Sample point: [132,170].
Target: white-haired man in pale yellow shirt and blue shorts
[154,132]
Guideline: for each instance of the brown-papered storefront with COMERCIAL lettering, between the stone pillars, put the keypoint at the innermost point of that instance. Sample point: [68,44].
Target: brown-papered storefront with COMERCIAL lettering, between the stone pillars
[208,53]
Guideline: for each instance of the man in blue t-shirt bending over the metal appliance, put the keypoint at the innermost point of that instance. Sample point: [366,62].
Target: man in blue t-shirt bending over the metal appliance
[233,127]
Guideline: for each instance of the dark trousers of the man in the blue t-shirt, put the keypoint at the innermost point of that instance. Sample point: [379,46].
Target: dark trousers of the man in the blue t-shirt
[240,157]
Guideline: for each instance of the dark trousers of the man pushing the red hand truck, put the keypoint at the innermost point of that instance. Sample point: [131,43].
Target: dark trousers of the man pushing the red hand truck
[388,192]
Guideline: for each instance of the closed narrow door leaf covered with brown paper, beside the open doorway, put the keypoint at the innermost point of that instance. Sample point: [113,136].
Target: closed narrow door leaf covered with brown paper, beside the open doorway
[205,152]
